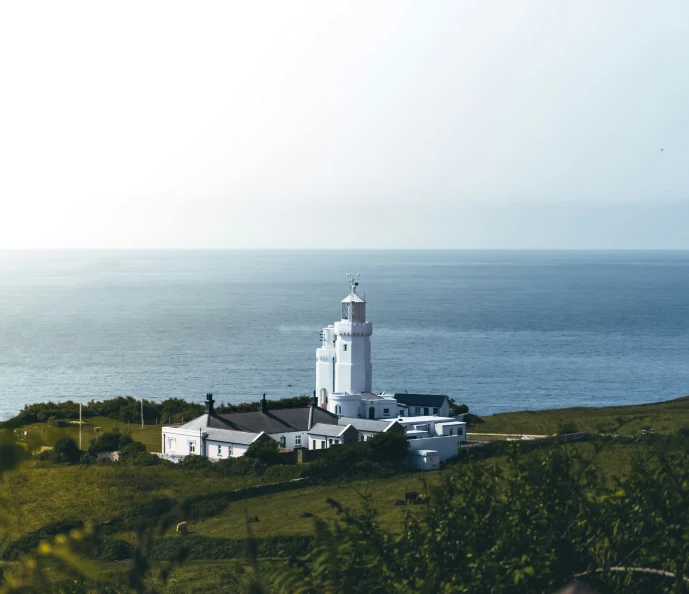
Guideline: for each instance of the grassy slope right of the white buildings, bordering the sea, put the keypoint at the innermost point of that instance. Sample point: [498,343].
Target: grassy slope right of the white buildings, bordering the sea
[663,417]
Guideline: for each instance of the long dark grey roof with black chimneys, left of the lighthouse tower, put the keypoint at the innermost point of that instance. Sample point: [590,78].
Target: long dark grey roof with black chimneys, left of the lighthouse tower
[285,420]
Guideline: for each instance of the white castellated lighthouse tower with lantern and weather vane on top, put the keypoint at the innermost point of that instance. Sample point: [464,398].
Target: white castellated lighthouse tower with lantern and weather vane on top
[343,362]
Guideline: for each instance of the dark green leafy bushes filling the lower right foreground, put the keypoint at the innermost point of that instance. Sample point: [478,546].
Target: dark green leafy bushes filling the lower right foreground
[529,527]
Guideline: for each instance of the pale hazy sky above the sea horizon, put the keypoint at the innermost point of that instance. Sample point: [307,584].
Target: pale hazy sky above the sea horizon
[329,124]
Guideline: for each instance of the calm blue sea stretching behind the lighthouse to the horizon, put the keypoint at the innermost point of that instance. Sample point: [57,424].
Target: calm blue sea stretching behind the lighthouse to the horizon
[496,330]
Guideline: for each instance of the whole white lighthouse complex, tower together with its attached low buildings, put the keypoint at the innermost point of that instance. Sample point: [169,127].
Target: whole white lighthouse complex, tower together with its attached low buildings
[347,409]
